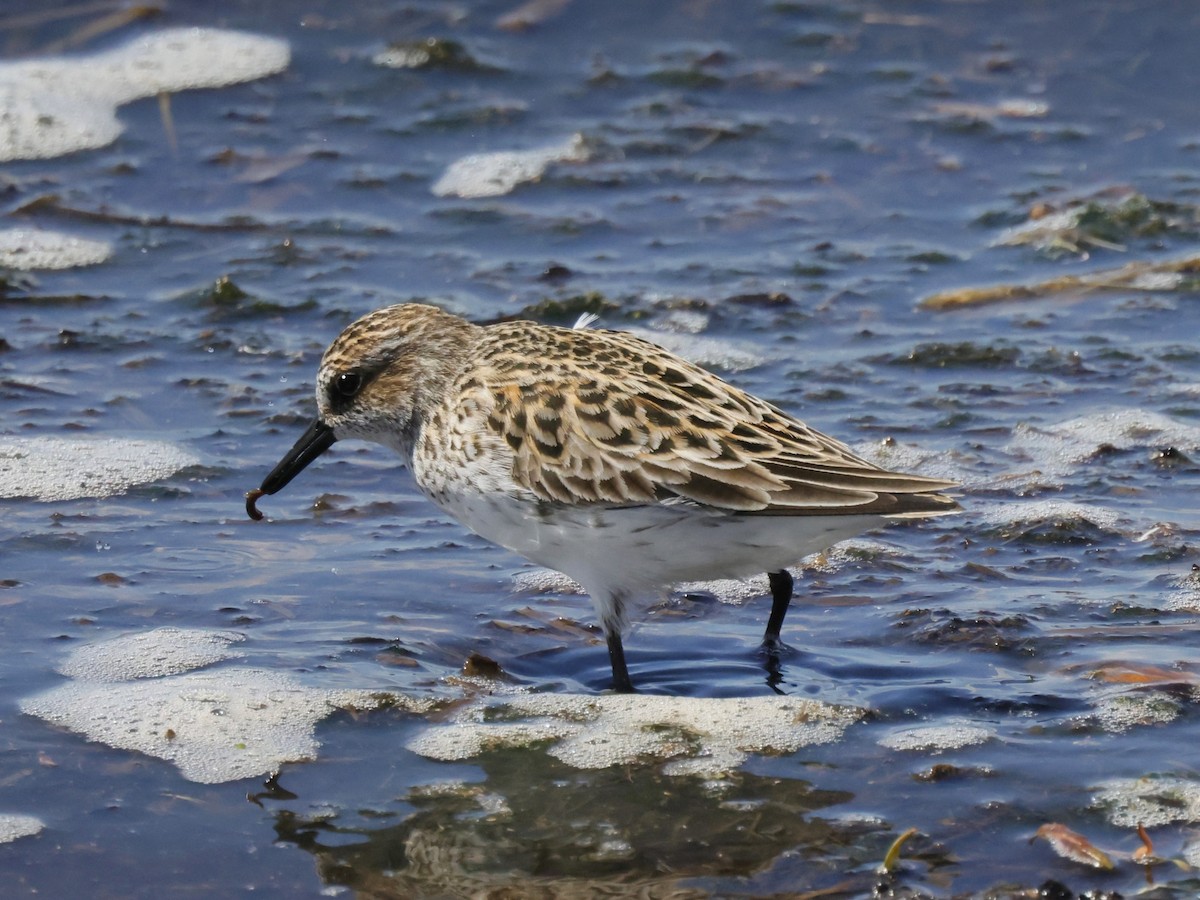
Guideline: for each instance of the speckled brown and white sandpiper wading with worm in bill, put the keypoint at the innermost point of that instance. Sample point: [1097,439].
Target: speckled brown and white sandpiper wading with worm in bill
[598,454]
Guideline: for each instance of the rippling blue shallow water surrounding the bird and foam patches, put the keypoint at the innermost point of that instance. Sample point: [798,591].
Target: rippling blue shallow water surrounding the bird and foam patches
[771,188]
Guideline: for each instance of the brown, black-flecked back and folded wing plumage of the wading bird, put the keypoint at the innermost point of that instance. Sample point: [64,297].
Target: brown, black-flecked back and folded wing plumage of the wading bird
[620,421]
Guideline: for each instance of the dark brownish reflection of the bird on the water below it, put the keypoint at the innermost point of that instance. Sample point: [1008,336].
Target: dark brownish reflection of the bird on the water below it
[557,832]
